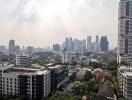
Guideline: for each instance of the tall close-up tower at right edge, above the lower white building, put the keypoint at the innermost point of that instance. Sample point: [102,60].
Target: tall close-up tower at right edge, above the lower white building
[125,32]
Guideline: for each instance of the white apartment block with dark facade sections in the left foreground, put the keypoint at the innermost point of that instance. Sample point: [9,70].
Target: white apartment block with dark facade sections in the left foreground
[32,83]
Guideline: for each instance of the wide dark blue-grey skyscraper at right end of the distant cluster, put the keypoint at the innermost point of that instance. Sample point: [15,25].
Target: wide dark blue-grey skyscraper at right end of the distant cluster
[104,44]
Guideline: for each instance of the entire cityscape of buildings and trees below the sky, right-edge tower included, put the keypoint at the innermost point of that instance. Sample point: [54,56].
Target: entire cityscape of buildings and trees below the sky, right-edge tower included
[72,70]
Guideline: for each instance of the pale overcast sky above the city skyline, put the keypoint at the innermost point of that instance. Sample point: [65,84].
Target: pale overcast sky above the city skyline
[44,22]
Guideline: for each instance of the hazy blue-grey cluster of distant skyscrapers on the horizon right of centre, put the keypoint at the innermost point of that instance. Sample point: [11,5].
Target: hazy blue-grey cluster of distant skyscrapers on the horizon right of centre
[101,44]
